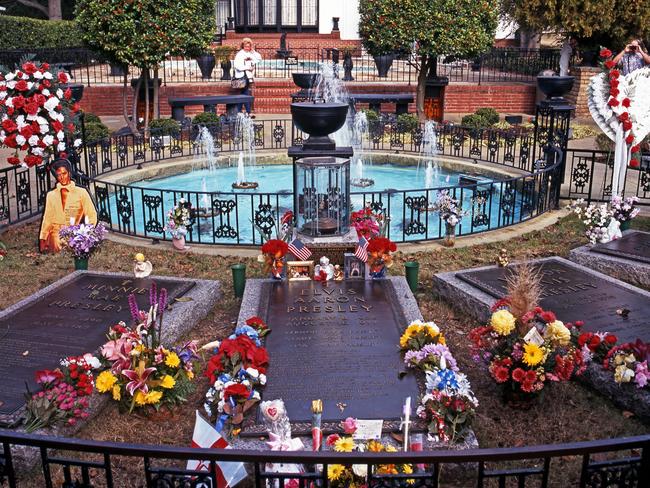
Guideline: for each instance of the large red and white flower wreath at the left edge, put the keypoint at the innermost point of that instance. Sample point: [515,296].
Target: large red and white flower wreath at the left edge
[36,112]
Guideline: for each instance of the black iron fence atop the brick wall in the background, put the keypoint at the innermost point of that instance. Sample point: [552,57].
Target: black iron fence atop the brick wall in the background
[497,65]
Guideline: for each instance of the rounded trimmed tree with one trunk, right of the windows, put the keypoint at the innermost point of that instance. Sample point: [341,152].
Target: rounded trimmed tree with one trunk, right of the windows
[464,28]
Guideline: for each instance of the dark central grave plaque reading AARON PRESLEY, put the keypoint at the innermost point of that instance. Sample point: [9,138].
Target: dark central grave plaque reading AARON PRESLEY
[337,342]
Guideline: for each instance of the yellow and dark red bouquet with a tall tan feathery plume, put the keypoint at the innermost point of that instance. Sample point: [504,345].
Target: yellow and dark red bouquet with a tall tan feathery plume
[524,346]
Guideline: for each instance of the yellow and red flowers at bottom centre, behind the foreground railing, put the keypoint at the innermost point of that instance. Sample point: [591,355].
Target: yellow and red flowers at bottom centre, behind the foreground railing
[356,475]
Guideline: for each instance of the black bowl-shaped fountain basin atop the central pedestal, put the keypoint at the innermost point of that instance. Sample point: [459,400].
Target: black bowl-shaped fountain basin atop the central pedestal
[319,119]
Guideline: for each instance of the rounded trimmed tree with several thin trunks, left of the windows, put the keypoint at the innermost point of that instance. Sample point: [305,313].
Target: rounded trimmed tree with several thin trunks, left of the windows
[144,33]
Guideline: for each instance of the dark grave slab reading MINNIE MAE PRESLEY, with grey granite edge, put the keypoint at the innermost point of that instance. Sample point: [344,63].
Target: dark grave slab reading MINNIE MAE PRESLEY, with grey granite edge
[72,317]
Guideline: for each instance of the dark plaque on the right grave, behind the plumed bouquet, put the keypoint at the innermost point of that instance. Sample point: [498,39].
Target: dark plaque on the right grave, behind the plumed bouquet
[574,294]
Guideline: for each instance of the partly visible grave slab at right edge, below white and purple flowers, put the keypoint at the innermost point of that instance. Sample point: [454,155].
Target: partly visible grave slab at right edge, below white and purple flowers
[627,259]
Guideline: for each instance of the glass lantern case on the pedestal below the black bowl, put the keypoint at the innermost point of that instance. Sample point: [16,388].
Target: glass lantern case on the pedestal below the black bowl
[322,196]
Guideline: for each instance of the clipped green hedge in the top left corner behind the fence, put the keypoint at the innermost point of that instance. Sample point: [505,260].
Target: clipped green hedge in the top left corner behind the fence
[27,33]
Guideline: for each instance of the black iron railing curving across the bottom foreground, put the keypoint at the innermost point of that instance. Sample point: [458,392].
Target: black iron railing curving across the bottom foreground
[623,462]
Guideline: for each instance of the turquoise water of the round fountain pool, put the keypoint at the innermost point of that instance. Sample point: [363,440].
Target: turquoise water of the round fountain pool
[400,188]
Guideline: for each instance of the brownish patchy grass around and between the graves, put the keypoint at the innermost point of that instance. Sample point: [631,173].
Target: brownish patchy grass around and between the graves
[569,412]
